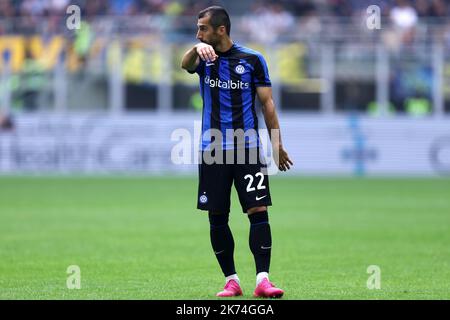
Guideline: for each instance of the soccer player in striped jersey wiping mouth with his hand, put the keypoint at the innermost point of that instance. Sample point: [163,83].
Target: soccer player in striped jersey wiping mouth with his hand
[230,77]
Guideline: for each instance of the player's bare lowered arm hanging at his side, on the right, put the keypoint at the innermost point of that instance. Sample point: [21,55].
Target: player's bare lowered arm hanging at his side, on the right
[271,119]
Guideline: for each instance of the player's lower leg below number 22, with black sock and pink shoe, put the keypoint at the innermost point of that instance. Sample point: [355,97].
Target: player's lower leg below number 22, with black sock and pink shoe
[260,242]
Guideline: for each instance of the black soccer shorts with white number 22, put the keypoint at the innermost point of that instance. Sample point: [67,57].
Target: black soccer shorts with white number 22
[216,179]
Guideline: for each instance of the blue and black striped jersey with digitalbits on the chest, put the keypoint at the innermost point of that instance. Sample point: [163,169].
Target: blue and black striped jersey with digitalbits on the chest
[228,88]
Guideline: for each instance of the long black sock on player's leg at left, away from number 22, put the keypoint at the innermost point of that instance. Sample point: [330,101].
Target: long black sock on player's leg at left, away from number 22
[222,242]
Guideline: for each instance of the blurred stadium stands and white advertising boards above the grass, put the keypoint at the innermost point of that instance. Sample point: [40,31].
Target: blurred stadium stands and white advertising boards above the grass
[106,97]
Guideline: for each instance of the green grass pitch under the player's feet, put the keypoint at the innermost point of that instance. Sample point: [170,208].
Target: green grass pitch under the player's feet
[142,238]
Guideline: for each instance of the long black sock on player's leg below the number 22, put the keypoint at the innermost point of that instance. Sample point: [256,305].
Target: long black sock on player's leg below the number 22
[260,240]
